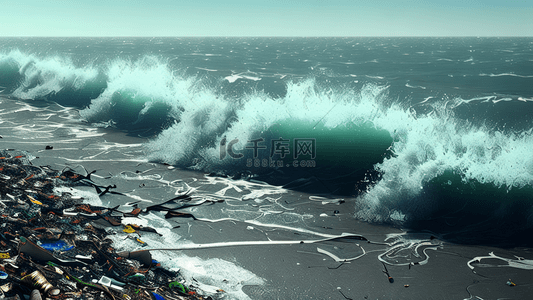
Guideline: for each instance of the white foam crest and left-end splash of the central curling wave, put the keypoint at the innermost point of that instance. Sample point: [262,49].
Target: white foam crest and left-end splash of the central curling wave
[206,120]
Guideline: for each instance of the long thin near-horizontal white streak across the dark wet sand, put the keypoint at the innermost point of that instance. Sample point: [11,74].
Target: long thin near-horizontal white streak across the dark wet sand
[251,243]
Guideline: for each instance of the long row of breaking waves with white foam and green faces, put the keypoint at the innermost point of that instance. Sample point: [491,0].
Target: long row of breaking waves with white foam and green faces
[405,167]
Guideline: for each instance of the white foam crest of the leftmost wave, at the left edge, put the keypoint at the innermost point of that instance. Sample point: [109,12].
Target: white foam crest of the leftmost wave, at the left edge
[43,76]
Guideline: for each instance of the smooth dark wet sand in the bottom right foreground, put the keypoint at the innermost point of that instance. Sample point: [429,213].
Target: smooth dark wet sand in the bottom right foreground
[298,272]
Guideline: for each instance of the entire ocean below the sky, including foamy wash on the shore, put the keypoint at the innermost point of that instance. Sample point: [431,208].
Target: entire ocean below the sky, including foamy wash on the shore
[418,135]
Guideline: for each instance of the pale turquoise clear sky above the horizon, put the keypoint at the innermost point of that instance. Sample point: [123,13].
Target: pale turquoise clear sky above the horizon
[266,18]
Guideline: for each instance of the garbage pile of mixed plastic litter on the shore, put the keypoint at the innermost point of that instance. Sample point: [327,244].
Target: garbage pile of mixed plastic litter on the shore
[54,246]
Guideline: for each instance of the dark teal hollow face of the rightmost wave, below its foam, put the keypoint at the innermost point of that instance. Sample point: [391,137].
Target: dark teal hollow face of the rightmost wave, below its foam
[473,212]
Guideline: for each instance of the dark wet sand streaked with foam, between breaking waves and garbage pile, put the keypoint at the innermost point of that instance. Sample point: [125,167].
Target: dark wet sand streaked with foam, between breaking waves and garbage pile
[290,271]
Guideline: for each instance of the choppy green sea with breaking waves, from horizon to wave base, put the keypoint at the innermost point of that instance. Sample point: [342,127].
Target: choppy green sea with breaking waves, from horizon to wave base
[431,134]
